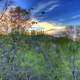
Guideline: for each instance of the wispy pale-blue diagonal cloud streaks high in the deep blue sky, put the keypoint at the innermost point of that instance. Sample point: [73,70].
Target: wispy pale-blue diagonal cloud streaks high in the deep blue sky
[42,6]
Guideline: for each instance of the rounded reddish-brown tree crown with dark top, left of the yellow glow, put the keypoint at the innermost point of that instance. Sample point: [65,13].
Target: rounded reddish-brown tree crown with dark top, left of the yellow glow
[21,18]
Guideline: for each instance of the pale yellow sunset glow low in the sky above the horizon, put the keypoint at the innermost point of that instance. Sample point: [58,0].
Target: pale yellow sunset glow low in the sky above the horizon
[50,28]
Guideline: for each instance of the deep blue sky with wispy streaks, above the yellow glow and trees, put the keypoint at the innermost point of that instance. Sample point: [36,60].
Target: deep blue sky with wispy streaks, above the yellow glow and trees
[56,11]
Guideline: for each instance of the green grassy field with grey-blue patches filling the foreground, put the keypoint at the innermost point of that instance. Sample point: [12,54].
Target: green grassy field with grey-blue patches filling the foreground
[40,57]
